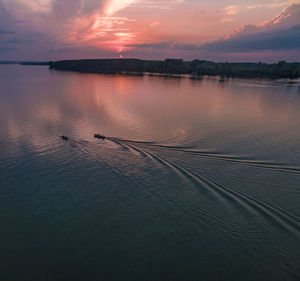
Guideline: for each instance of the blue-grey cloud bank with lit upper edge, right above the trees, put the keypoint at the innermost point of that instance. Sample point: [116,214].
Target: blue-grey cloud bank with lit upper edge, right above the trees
[280,33]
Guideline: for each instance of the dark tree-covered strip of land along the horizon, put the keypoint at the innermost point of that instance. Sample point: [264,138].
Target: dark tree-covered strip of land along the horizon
[194,68]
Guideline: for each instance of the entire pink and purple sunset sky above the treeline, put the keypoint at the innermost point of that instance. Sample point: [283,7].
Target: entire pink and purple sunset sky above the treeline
[219,30]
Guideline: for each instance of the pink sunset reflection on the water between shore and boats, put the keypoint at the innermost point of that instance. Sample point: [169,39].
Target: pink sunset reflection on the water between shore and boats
[148,108]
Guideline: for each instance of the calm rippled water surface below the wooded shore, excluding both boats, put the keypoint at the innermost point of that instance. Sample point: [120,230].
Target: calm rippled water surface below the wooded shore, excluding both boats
[198,179]
